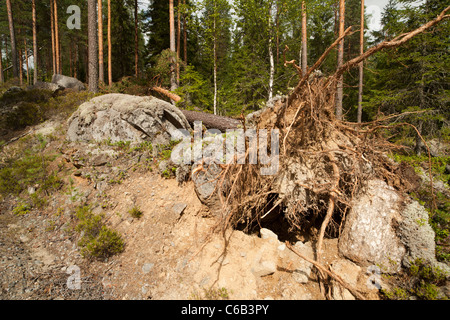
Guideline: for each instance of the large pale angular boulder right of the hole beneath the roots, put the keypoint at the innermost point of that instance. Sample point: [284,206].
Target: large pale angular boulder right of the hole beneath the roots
[386,230]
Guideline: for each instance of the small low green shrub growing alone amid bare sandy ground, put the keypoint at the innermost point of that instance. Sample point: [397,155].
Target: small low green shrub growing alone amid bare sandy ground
[97,240]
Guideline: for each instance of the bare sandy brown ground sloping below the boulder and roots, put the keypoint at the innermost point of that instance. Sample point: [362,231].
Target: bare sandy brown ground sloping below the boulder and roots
[170,252]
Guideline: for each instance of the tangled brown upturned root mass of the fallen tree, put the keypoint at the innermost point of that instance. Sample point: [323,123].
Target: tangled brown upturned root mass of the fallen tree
[324,162]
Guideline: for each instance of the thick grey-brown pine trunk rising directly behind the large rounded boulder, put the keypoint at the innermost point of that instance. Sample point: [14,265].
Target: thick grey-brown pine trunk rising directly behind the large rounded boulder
[93,46]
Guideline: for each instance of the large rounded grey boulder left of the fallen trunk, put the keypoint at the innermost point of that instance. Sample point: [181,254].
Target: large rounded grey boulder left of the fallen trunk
[121,117]
